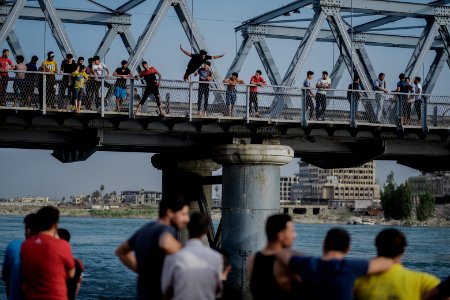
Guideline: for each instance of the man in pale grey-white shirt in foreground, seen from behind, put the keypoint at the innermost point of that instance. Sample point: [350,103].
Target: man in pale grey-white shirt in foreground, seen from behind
[194,272]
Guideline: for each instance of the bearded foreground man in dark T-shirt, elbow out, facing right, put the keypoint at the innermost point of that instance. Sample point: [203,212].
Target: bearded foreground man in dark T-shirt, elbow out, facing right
[144,252]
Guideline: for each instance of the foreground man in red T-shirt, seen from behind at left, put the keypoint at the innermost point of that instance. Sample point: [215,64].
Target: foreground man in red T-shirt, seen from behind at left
[46,260]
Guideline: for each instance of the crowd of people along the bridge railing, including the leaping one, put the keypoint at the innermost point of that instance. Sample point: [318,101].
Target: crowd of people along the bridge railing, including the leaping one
[83,84]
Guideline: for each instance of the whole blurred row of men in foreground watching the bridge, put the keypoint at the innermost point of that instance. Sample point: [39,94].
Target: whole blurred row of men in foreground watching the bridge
[43,267]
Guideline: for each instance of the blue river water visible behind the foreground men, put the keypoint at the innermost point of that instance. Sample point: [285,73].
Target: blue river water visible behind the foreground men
[94,242]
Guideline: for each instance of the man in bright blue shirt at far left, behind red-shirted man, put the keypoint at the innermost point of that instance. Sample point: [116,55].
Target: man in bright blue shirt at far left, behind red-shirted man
[11,272]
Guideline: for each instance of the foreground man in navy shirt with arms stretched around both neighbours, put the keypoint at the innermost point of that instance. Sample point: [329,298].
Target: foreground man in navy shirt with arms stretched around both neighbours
[332,275]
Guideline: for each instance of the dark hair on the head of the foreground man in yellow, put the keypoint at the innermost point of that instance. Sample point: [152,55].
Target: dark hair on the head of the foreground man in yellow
[390,243]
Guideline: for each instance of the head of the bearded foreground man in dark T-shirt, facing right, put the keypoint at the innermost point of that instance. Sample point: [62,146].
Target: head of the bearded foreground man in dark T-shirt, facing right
[176,211]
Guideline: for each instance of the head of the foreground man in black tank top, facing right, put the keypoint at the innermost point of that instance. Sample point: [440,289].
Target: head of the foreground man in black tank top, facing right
[280,228]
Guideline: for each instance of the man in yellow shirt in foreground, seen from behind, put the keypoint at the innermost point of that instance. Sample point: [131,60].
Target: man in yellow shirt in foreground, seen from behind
[398,283]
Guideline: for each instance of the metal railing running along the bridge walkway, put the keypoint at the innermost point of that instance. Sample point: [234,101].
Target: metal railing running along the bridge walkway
[50,93]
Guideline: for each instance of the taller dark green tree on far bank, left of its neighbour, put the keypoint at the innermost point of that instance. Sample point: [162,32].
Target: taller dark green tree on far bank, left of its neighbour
[396,200]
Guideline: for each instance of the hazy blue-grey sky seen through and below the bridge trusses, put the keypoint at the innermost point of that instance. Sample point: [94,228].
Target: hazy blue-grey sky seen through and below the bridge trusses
[37,173]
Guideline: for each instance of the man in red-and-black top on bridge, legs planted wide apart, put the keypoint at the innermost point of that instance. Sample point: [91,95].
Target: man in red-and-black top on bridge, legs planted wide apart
[149,75]
